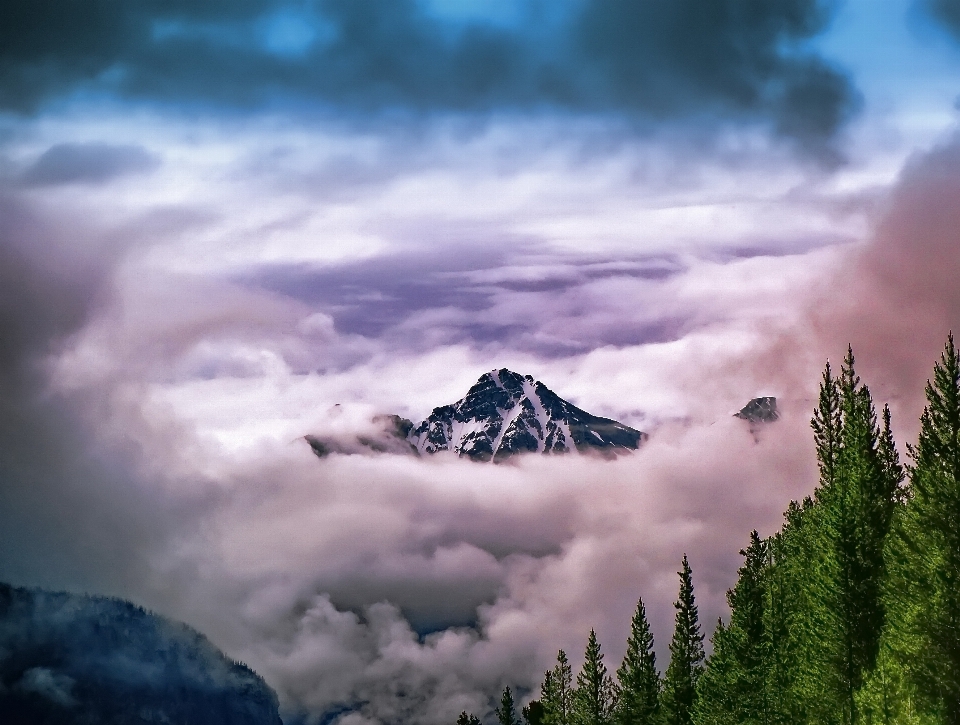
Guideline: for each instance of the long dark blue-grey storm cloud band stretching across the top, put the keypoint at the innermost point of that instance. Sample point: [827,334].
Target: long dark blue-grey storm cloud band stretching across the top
[649,61]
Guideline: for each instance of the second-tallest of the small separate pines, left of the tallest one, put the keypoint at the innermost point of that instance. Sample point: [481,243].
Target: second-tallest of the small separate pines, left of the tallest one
[637,676]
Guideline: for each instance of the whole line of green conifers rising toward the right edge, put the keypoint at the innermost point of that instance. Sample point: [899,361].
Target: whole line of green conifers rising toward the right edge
[849,615]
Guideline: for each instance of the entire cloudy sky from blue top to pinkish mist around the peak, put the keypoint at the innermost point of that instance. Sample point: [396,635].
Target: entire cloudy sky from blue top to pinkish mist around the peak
[227,225]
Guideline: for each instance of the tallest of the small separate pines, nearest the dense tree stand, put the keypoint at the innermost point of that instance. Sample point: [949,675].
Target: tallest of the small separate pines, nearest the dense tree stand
[686,655]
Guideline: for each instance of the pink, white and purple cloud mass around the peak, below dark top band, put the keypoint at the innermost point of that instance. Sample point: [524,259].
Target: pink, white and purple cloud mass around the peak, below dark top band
[181,302]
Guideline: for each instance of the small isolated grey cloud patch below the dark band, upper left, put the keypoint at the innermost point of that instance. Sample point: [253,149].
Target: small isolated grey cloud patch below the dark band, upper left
[71,163]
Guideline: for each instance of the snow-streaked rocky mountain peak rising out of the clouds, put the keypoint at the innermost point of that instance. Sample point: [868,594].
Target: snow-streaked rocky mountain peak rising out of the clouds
[505,413]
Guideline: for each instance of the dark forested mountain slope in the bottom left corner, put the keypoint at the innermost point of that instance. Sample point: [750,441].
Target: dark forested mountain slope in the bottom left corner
[72,659]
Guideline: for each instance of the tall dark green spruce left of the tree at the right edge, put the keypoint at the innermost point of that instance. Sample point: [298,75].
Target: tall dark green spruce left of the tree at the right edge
[859,484]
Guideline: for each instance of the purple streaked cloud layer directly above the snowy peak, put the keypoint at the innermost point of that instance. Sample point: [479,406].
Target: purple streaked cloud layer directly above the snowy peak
[481,298]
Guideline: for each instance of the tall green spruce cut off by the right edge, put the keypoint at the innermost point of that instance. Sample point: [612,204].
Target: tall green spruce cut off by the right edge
[929,595]
